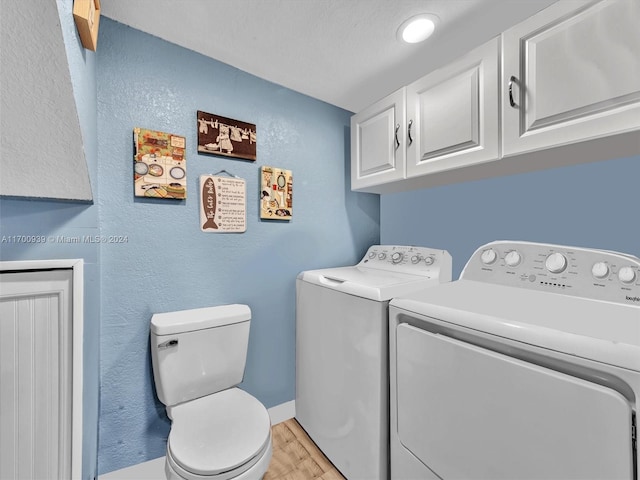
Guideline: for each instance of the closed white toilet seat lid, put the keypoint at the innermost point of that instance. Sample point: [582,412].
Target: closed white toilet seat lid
[219,432]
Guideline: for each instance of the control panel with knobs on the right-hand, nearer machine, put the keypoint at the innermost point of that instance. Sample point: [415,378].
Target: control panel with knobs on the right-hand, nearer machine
[596,274]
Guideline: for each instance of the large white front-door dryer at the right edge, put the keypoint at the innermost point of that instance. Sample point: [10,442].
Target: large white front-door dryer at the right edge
[527,367]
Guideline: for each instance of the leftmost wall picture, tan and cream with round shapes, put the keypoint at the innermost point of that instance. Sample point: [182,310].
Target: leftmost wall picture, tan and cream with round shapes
[159,164]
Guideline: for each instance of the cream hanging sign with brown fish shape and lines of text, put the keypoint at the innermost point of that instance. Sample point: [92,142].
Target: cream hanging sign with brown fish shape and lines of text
[223,206]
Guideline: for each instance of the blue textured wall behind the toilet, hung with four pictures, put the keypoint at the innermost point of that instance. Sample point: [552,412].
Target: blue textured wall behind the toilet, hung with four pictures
[168,264]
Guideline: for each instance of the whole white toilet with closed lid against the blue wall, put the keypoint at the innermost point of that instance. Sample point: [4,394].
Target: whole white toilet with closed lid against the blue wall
[218,432]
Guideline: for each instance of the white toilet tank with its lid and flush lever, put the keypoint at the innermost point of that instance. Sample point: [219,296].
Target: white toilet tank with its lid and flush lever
[198,352]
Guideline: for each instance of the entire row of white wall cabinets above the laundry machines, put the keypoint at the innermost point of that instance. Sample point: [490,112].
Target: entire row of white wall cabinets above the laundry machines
[560,88]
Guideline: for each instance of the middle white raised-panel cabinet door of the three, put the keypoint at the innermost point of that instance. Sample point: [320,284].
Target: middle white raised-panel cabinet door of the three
[452,114]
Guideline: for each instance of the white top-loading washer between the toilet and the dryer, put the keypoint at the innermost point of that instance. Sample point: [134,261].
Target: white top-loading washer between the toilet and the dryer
[342,382]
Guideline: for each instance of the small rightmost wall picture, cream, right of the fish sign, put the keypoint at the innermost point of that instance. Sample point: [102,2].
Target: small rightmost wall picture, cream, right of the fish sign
[276,193]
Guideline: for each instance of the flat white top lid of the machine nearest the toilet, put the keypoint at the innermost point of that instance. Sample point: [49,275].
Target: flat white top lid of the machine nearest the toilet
[368,283]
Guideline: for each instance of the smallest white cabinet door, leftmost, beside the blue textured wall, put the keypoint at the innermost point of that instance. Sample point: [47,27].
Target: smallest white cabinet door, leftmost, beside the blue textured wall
[378,142]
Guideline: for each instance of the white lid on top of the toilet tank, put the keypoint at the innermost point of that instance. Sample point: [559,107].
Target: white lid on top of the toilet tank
[171,323]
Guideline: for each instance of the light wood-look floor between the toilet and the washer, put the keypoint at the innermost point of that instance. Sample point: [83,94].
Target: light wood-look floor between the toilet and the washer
[296,457]
